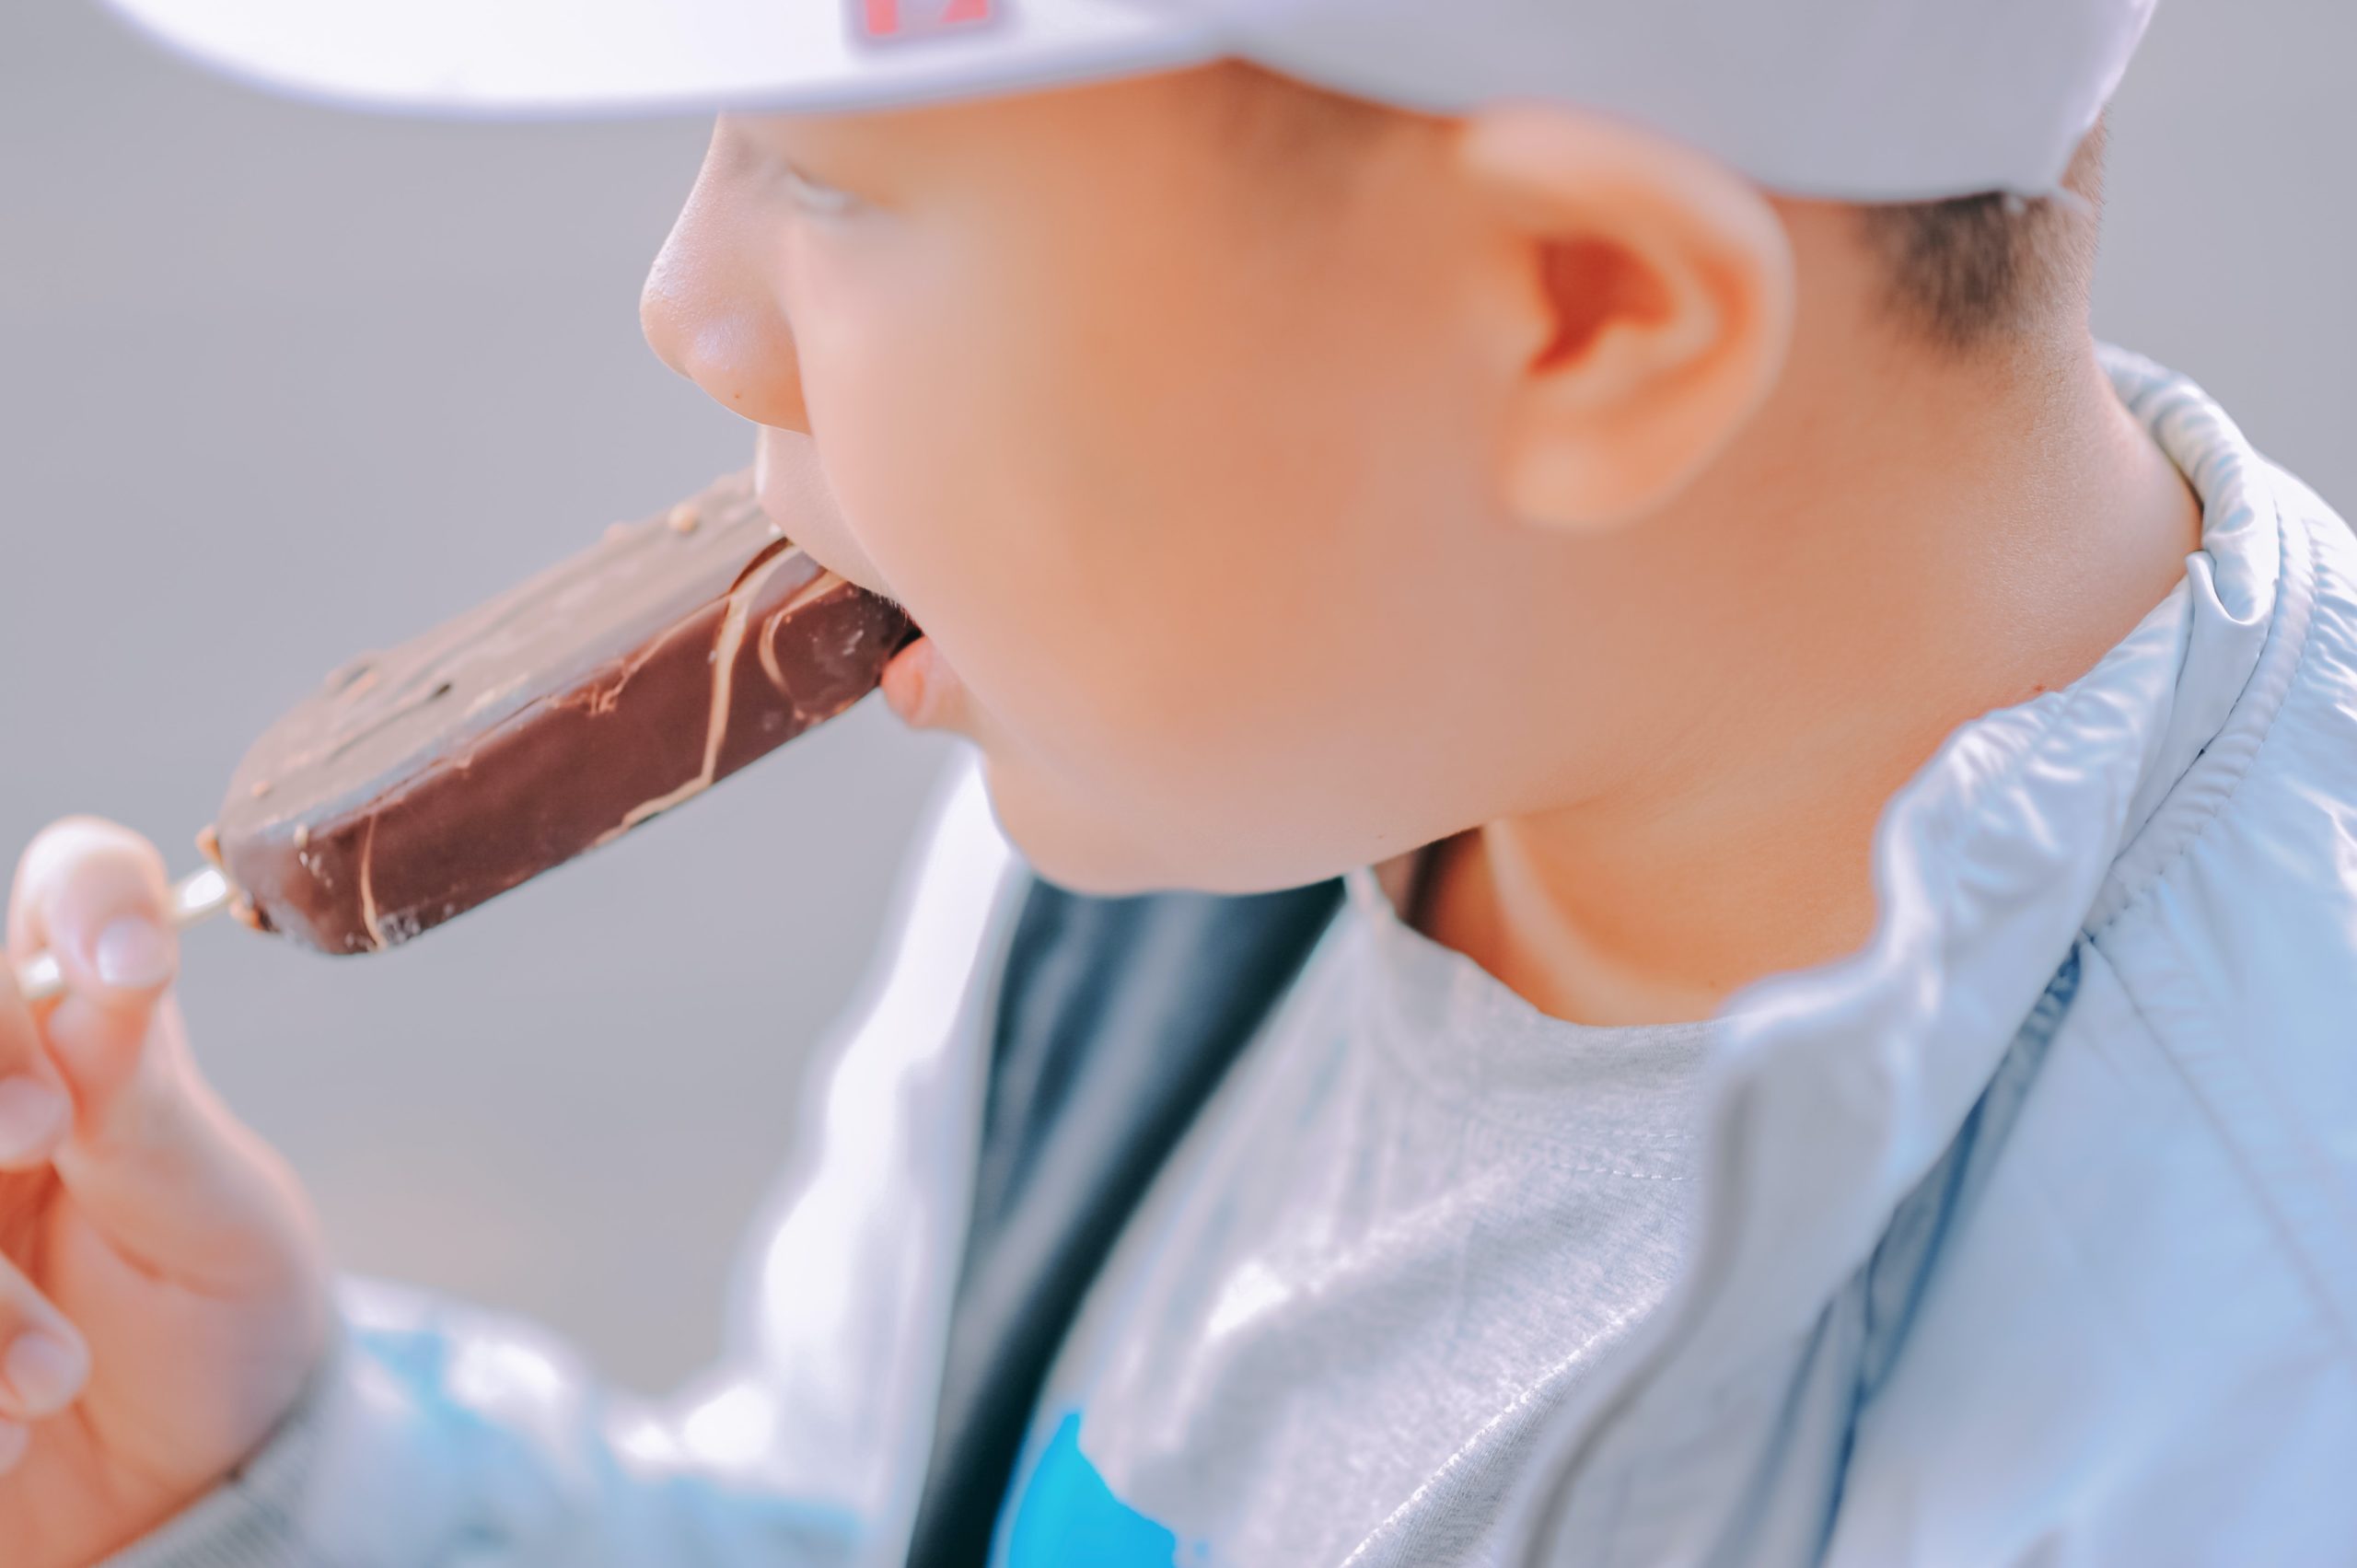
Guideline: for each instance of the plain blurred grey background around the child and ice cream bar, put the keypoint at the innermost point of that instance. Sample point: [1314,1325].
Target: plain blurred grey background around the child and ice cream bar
[282,383]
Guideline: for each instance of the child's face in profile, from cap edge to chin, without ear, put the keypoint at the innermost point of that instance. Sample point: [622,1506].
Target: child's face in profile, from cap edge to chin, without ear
[1177,447]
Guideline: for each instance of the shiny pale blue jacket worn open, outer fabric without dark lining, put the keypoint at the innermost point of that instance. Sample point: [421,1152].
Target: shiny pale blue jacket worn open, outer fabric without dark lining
[2028,1232]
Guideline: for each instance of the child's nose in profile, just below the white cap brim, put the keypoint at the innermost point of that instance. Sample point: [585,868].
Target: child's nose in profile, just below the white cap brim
[711,310]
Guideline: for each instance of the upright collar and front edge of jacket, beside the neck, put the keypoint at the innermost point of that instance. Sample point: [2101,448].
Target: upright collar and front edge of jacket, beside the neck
[1837,1088]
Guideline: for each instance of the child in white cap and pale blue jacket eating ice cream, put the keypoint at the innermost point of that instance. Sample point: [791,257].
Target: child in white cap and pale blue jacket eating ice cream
[1677,876]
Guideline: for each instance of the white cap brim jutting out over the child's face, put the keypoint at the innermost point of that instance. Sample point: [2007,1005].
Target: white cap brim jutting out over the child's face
[605,58]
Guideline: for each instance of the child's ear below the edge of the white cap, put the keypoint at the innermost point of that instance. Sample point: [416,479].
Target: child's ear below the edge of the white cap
[1649,308]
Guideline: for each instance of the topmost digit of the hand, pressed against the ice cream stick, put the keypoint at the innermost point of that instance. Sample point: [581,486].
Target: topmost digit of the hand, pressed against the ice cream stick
[95,897]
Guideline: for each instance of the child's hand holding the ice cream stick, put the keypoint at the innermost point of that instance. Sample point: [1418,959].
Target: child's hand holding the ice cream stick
[161,1286]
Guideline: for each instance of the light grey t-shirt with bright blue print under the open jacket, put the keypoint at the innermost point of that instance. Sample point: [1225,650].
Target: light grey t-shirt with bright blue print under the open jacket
[1397,1237]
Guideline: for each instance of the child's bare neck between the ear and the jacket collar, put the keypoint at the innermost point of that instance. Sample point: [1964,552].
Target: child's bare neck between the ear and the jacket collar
[1960,541]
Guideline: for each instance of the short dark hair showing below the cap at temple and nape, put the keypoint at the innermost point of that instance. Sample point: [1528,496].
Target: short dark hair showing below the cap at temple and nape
[1960,272]
